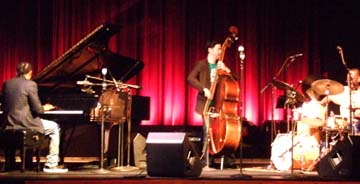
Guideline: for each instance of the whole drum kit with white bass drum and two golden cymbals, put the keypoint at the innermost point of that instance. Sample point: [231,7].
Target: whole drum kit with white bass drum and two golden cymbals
[296,150]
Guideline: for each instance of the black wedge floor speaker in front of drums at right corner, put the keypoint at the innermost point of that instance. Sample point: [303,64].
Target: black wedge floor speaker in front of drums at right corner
[343,159]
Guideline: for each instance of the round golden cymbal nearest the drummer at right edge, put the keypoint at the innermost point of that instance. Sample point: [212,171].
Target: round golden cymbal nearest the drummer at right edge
[327,87]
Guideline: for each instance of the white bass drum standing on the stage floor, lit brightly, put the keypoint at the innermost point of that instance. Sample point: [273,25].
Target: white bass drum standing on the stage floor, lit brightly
[306,151]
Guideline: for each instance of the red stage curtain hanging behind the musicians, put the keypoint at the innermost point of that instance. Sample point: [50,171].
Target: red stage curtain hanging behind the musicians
[169,36]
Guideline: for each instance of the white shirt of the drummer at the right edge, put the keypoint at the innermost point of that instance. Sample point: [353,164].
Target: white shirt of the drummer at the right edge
[343,100]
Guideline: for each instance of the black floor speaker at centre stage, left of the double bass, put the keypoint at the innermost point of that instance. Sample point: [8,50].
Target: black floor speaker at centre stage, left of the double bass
[171,155]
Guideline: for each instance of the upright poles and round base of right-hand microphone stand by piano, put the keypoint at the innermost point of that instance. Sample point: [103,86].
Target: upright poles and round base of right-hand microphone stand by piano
[128,167]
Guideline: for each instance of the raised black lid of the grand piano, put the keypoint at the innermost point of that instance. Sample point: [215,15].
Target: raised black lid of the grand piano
[87,57]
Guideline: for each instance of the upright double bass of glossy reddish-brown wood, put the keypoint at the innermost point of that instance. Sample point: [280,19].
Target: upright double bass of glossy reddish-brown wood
[221,108]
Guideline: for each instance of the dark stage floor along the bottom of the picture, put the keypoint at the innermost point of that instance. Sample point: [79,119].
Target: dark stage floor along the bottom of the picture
[258,172]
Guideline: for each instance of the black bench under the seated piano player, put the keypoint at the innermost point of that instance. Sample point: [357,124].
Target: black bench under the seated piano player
[26,141]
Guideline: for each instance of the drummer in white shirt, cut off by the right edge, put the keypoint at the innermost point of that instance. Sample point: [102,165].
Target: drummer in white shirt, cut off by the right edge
[343,99]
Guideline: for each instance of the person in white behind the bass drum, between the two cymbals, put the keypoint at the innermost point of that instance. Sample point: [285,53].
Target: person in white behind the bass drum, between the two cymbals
[312,112]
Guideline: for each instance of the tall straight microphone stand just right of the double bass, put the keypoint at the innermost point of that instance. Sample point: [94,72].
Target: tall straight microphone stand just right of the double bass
[241,175]
